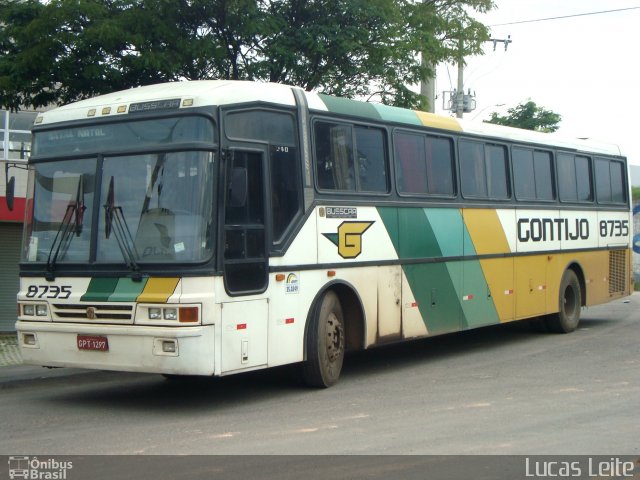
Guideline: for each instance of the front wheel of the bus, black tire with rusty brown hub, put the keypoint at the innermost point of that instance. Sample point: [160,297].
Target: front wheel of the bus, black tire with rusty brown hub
[325,343]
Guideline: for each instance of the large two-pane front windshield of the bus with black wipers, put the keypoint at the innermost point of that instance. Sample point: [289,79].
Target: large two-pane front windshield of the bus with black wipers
[147,208]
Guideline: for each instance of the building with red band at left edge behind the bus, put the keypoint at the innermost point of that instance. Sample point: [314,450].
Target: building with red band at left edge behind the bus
[15,145]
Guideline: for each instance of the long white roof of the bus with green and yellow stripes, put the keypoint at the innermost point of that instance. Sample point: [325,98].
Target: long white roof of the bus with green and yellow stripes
[198,93]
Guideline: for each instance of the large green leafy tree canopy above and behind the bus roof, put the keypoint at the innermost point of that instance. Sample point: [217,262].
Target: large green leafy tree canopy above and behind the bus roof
[60,51]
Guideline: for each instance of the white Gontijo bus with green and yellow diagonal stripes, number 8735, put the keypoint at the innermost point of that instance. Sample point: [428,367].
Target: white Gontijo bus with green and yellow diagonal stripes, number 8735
[217,227]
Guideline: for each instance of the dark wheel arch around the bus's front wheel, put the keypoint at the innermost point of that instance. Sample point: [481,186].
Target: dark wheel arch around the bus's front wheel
[353,312]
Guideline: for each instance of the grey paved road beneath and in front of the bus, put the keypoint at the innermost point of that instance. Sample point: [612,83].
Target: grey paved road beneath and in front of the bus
[498,390]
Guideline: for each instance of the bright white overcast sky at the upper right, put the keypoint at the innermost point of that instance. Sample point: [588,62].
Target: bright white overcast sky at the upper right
[586,68]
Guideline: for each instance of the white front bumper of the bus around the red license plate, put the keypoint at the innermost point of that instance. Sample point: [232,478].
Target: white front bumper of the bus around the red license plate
[132,348]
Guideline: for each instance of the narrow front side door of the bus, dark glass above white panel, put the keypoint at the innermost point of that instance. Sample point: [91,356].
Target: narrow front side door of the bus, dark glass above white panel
[245,262]
